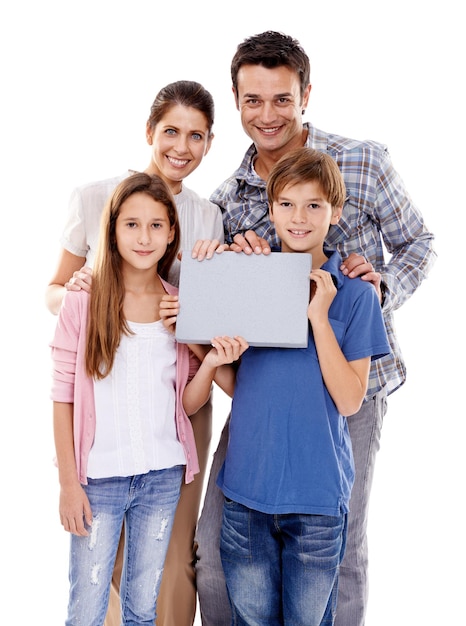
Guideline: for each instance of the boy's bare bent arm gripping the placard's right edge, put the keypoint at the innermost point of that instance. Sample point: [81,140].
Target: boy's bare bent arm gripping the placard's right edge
[346,381]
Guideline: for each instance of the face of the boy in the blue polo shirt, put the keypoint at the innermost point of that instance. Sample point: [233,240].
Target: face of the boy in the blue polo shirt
[302,216]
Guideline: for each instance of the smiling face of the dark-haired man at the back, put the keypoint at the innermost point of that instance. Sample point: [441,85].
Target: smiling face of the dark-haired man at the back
[270,104]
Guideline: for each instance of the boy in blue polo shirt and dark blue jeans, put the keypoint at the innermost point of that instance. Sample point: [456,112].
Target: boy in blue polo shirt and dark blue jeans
[288,470]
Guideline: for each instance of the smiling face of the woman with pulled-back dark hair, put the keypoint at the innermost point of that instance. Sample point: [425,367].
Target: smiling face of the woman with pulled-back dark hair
[179,142]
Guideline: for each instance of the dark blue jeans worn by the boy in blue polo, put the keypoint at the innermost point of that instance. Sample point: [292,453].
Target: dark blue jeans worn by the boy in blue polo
[281,569]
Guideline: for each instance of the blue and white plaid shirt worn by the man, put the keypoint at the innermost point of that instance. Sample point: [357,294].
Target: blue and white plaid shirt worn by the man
[378,218]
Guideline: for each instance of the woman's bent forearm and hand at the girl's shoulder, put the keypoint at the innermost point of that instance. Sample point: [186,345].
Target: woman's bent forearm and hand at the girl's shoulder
[71,275]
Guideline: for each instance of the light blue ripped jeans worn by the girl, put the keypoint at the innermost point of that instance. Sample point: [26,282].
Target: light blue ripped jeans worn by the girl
[146,503]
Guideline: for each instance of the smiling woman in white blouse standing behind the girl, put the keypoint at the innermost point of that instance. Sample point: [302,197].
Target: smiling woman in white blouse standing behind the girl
[179,131]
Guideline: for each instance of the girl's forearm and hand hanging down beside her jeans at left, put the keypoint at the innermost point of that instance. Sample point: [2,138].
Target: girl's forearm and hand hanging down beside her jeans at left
[74,507]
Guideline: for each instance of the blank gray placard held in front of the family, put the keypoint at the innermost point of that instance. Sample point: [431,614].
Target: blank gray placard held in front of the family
[262,298]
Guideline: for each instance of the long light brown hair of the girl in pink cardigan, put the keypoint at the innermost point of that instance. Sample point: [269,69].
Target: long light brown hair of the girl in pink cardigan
[106,320]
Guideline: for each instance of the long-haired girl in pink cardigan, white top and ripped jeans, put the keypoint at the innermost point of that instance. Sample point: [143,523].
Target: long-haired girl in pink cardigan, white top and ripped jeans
[122,393]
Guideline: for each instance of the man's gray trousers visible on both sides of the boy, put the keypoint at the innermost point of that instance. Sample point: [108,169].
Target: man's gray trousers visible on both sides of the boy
[365,430]
